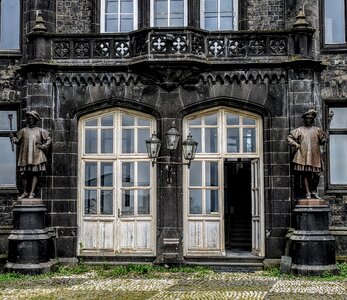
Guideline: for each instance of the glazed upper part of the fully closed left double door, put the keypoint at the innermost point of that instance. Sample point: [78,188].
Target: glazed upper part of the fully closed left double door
[115,164]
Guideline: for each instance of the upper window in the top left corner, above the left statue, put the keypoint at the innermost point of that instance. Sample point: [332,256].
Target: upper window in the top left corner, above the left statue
[9,24]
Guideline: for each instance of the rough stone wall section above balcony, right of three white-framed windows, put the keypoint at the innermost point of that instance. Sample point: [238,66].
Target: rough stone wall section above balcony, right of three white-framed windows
[265,15]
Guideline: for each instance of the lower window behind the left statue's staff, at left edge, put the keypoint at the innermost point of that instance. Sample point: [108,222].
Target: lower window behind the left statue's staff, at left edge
[8,153]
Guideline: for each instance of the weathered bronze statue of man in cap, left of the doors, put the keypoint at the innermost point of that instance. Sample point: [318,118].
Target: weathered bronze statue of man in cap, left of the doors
[32,141]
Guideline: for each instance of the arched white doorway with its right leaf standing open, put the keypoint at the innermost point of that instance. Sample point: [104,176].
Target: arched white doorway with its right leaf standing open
[223,189]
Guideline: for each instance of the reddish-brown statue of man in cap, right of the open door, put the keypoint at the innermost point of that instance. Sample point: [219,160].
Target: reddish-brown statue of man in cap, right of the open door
[307,160]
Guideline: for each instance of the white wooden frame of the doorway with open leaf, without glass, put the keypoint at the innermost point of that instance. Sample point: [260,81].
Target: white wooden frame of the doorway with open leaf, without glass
[220,156]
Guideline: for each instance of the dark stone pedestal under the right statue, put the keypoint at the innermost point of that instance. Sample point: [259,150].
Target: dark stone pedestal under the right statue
[312,245]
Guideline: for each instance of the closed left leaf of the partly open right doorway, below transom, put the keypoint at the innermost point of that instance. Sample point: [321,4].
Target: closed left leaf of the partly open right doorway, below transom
[204,209]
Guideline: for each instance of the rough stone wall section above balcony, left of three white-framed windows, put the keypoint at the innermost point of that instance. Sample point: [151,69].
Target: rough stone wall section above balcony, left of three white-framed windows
[74,16]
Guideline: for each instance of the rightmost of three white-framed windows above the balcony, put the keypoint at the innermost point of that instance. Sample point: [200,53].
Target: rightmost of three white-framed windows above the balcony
[219,14]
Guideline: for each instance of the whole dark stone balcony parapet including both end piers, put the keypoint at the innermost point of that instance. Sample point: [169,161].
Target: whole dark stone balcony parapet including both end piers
[174,45]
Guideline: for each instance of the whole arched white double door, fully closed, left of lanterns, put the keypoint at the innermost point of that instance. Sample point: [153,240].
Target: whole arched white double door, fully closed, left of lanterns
[116,183]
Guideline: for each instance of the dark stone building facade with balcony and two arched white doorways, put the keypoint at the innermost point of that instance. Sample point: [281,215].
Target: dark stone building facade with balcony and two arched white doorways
[239,92]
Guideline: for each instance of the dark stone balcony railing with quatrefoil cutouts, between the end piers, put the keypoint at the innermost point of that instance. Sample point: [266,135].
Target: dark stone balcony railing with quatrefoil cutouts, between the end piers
[173,44]
